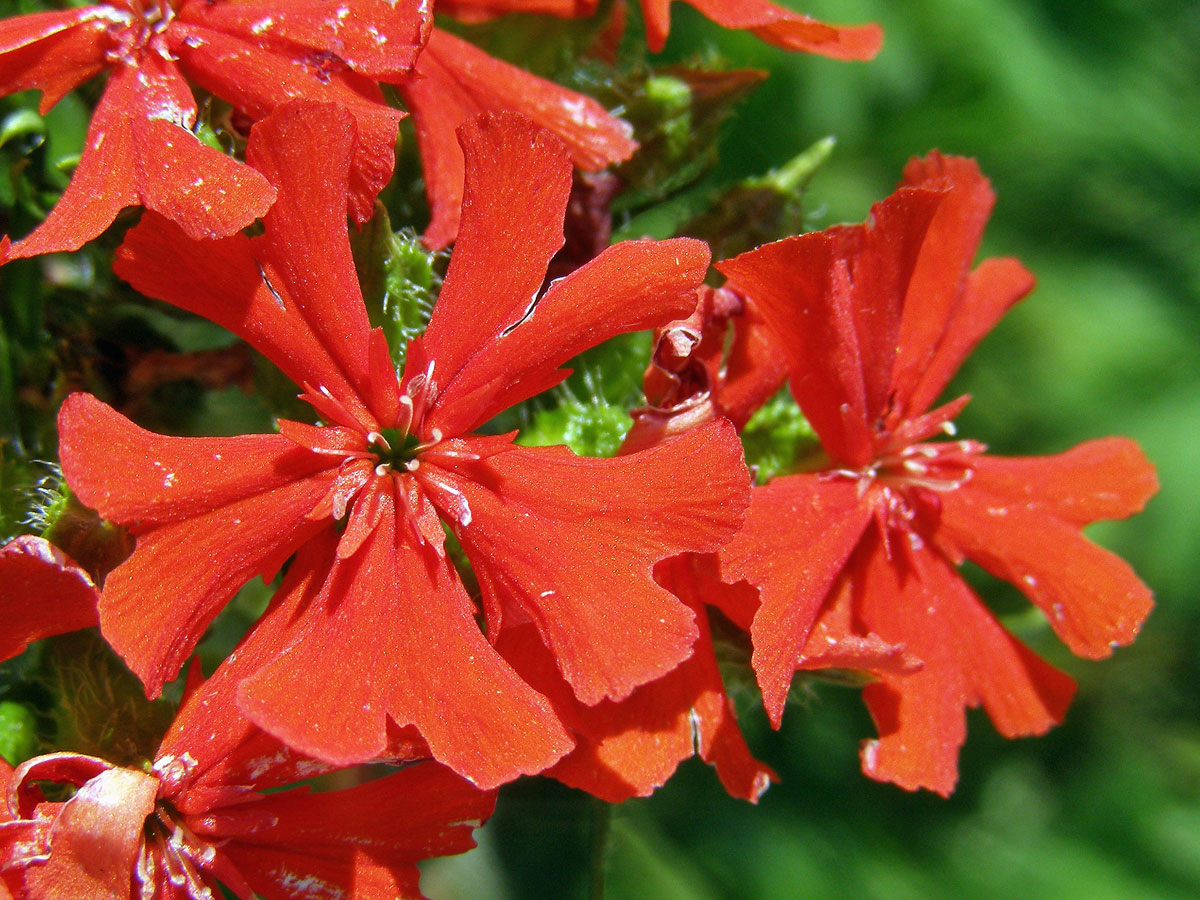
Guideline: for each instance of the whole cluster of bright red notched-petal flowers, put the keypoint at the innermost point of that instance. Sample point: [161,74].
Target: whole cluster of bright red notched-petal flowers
[446,597]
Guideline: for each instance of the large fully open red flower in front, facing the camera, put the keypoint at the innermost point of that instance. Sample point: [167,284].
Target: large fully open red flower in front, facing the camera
[565,543]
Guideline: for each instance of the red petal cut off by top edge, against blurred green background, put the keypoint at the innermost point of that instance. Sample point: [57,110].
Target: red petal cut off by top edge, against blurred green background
[783,28]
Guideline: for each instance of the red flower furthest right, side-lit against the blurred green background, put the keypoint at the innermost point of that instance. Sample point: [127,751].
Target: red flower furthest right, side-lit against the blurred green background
[875,320]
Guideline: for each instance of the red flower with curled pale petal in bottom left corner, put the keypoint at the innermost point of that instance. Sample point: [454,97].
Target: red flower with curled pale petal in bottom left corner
[208,809]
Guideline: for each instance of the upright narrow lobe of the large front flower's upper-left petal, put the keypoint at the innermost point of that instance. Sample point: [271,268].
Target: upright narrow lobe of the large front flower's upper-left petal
[307,152]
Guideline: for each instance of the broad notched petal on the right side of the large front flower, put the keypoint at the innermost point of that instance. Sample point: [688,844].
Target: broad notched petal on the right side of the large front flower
[541,524]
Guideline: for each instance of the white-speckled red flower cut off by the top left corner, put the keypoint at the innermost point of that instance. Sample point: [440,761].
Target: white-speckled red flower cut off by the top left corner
[255,53]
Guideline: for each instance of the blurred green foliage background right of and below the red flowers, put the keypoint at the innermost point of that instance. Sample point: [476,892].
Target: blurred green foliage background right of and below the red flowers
[1085,117]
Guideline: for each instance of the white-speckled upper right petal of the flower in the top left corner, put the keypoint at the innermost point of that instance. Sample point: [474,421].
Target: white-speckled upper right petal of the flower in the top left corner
[375,38]
